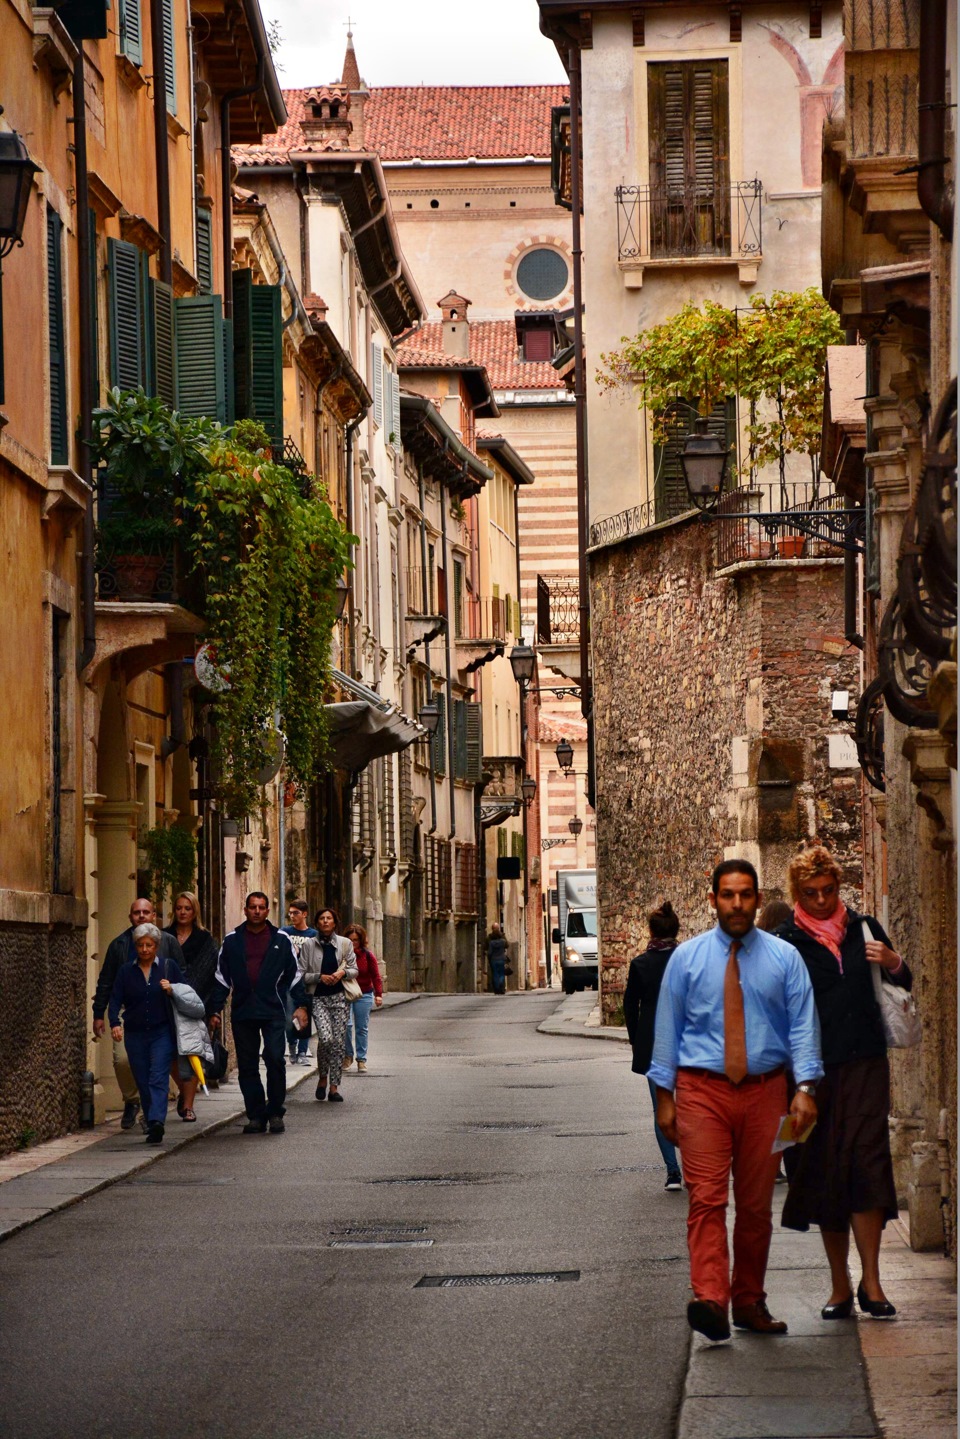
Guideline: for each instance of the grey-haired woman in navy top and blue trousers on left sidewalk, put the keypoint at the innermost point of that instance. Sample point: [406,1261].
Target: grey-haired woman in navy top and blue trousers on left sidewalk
[142,995]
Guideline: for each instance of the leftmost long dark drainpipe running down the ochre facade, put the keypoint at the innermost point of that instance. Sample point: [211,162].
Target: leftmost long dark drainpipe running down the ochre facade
[89,360]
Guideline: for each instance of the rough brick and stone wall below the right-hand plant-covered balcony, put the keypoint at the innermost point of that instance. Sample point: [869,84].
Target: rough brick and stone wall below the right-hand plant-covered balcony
[713,727]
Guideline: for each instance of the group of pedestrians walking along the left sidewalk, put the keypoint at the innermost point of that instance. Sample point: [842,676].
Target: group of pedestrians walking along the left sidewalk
[171,989]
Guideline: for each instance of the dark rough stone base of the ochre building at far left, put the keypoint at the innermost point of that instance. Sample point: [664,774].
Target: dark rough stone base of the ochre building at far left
[44,1022]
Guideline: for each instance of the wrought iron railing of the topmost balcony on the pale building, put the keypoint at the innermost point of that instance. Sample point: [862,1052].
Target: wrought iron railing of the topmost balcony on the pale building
[669,222]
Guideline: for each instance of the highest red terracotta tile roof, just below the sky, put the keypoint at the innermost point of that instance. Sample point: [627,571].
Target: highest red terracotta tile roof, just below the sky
[434,123]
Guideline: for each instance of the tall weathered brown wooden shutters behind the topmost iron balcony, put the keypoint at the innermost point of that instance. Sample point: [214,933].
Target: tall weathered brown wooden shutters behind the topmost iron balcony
[689,147]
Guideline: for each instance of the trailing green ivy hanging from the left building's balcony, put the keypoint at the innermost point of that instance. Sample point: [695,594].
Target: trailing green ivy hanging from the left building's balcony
[267,558]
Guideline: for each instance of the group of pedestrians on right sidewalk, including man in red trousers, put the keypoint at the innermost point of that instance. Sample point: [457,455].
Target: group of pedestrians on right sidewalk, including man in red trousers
[746,1035]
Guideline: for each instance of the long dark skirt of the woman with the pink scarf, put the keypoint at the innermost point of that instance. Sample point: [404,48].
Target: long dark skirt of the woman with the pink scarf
[846,1168]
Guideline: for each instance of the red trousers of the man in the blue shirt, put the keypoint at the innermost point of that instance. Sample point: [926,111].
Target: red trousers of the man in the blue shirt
[723,1127]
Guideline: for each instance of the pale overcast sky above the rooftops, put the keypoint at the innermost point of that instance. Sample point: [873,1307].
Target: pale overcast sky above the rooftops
[431,42]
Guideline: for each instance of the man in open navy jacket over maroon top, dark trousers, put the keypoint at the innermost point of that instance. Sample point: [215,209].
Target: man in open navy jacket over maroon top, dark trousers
[258,966]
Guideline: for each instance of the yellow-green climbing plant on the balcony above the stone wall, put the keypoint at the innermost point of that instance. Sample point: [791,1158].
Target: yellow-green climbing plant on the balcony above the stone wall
[772,355]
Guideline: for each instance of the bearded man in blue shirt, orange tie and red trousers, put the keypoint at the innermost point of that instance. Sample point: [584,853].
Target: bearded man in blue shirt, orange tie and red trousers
[736,1011]
